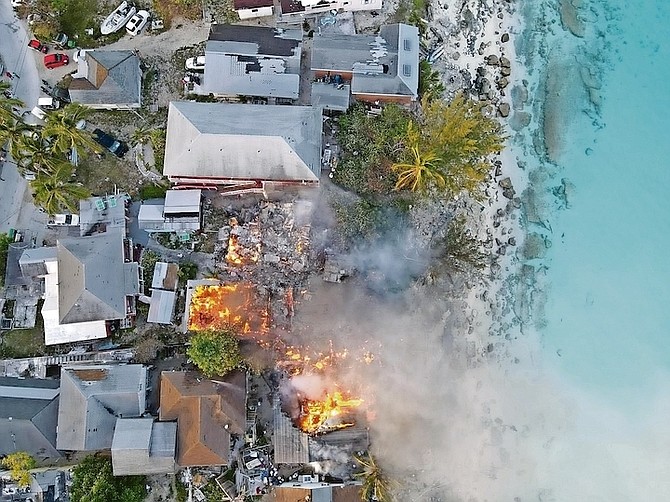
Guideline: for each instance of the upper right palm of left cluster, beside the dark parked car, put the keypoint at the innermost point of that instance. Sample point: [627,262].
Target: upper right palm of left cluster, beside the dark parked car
[61,130]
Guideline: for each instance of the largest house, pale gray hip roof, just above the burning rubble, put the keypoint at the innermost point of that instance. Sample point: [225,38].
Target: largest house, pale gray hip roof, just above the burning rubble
[238,148]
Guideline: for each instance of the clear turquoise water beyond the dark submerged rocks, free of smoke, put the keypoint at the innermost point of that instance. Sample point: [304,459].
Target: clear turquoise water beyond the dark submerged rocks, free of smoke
[608,309]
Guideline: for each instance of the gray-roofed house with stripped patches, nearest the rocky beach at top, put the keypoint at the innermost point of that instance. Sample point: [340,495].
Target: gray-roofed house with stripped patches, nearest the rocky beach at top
[382,67]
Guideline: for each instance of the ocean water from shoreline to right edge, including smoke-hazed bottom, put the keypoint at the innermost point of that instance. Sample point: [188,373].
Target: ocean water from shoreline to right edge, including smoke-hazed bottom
[604,318]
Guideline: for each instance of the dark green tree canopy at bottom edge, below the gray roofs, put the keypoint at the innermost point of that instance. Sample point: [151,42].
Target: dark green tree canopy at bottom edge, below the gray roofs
[93,481]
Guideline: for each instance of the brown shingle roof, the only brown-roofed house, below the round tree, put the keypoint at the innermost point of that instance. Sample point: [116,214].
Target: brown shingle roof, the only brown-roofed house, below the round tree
[203,409]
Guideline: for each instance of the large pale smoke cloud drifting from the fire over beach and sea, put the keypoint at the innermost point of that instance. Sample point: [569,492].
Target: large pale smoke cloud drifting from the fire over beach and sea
[465,413]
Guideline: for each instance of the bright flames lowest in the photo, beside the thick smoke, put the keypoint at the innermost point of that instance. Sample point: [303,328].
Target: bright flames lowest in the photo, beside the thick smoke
[333,412]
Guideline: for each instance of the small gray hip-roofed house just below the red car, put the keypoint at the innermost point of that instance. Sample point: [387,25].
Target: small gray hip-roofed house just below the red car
[108,80]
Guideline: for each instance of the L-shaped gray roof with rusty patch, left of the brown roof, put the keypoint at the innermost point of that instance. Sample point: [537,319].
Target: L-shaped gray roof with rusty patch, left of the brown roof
[92,398]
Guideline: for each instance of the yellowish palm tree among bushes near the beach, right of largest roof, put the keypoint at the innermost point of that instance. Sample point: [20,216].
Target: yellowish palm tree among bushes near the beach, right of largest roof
[422,170]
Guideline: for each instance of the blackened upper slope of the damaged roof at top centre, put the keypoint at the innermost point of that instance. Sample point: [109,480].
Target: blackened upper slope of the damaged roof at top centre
[256,39]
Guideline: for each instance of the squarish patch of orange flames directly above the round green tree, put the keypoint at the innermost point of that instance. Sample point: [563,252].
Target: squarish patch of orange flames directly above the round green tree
[222,306]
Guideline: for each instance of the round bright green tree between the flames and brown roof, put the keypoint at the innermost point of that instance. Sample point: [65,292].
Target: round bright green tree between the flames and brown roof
[215,352]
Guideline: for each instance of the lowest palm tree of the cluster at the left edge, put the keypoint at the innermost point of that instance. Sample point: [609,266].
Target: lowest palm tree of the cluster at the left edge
[55,191]
